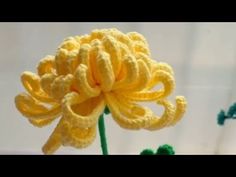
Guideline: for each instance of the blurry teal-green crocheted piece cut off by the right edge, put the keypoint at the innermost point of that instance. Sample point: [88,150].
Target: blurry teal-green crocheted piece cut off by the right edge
[231,114]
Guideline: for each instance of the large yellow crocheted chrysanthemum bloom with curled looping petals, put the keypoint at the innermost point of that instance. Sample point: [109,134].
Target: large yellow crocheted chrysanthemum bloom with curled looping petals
[106,68]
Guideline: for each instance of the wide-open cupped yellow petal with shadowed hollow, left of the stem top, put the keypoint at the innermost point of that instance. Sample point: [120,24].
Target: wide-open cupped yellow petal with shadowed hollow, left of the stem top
[81,113]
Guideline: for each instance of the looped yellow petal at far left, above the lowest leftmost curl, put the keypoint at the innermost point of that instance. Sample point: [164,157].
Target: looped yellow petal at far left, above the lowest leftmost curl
[31,83]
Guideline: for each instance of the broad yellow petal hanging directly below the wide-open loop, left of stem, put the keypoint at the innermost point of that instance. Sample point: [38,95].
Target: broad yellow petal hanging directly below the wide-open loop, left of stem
[78,137]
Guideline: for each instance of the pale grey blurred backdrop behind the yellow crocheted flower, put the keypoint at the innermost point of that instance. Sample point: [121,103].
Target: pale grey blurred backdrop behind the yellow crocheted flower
[202,55]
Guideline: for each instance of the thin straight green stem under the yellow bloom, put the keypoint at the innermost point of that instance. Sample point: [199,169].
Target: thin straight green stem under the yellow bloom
[102,133]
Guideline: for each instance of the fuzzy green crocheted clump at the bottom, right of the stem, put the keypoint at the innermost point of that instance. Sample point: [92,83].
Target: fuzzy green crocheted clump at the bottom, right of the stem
[162,150]
